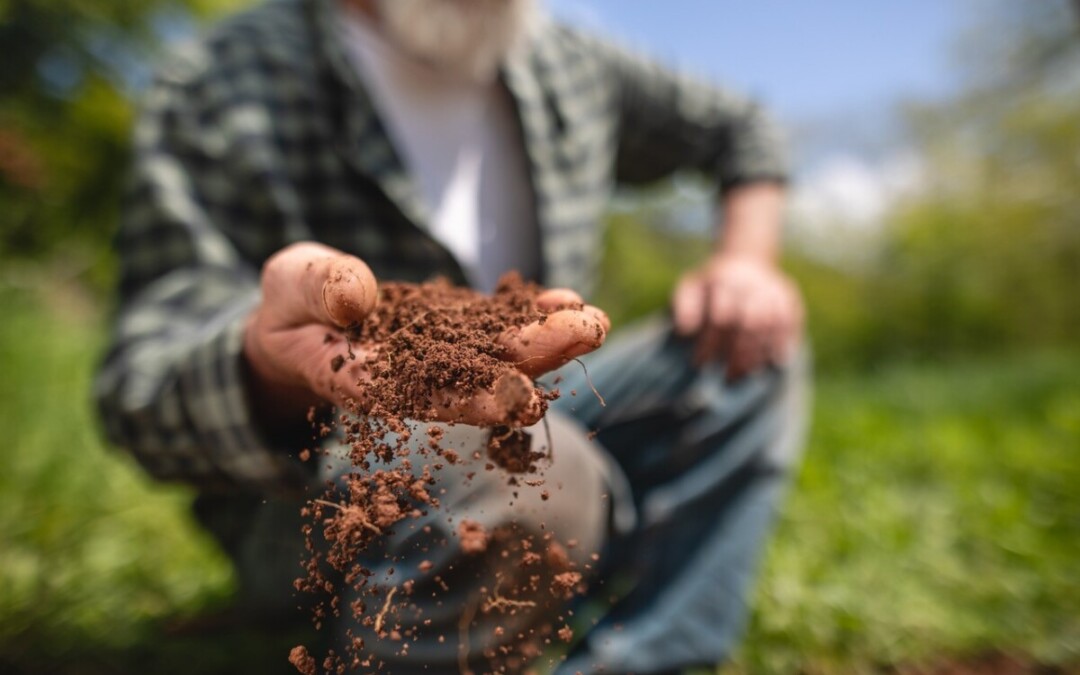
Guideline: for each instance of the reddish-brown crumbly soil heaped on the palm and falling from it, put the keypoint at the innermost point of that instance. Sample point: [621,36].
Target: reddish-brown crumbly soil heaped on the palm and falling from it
[426,349]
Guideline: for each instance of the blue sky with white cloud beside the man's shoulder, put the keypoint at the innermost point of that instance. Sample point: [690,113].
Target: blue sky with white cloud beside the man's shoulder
[832,71]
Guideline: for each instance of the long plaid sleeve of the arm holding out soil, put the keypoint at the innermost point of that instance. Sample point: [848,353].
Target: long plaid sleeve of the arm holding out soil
[171,389]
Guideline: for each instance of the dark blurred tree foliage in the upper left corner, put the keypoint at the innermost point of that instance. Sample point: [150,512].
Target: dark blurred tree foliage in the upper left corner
[65,119]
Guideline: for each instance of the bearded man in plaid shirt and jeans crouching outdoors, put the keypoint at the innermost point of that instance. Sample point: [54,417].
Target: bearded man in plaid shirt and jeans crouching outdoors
[456,138]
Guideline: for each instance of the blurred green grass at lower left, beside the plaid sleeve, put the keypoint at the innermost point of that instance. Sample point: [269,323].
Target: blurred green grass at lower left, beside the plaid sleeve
[93,555]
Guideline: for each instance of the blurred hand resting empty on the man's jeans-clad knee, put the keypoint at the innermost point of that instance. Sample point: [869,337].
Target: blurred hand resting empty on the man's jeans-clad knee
[739,309]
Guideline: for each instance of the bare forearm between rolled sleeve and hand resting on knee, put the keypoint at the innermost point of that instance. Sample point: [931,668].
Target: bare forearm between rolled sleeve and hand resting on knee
[751,220]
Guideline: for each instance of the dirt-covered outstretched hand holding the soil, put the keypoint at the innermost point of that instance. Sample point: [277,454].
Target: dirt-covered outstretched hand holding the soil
[312,292]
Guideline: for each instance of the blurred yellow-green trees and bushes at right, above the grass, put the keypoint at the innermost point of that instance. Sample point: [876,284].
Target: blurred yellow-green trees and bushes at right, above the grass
[985,258]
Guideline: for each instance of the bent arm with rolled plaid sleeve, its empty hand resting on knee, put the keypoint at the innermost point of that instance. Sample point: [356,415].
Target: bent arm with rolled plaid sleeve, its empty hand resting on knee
[738,308]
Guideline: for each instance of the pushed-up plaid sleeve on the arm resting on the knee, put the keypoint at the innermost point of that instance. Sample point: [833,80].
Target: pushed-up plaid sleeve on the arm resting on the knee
[670,121]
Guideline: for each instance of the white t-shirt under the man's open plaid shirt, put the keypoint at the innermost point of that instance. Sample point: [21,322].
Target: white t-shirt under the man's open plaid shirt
[462,144]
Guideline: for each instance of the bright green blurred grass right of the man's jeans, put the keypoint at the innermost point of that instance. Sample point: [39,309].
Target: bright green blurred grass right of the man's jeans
[937,514]
